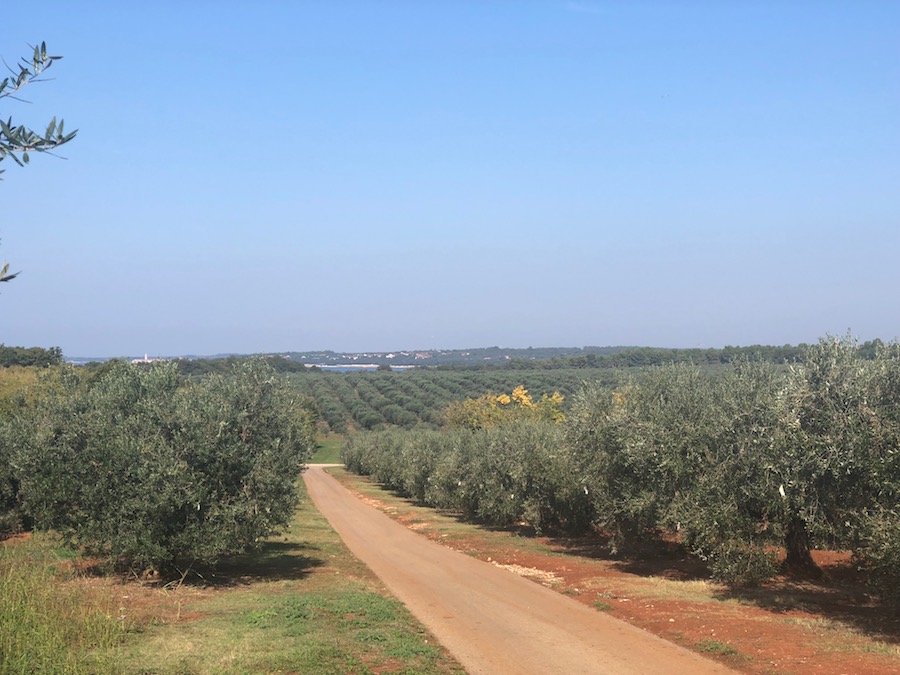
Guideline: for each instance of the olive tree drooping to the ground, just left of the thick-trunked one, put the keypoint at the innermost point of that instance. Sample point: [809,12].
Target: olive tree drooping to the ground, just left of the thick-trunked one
[724,501]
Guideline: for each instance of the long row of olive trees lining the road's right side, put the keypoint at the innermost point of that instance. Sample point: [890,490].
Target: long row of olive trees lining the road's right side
[735,463]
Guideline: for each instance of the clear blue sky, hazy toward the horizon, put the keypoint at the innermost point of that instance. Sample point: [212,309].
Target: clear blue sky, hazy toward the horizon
[268,176]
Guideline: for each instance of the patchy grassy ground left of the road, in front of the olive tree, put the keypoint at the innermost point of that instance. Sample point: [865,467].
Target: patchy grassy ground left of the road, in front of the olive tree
[301,604]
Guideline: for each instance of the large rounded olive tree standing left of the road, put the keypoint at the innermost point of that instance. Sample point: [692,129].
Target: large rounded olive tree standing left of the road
[155,472]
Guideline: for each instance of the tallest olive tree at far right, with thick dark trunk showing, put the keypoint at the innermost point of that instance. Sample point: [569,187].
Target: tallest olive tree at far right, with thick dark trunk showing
[831,461]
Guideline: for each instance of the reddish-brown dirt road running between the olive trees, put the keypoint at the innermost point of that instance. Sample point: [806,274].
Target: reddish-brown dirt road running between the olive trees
[491,620]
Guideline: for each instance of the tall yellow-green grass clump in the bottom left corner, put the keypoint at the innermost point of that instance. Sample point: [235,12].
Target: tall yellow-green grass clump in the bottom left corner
[48,623]
